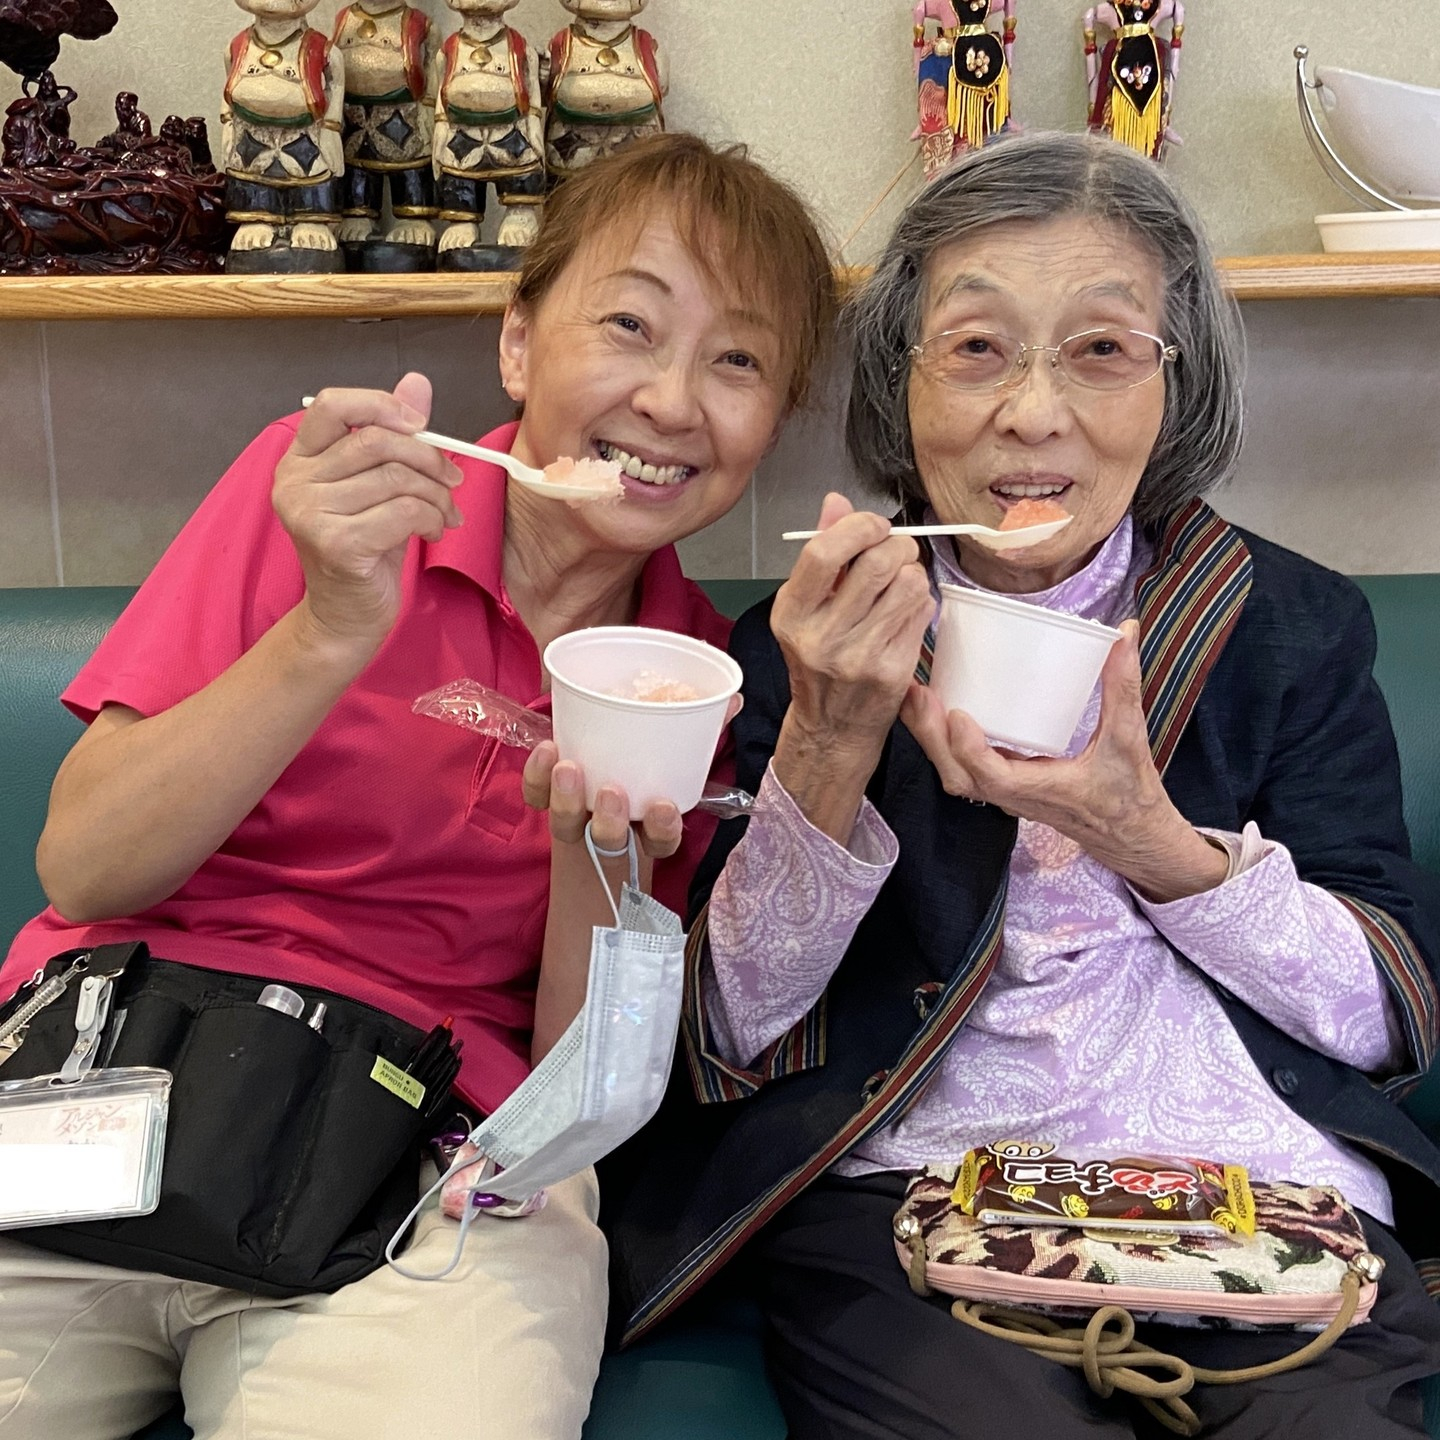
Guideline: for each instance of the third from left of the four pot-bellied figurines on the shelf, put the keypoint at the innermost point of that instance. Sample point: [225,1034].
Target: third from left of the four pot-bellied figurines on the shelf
[487,132]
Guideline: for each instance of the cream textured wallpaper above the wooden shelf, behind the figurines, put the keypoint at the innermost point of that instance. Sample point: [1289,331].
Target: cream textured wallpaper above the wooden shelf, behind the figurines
[823,93]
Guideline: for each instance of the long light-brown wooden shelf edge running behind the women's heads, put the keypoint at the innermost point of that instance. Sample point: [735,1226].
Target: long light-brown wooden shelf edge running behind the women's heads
[387,297]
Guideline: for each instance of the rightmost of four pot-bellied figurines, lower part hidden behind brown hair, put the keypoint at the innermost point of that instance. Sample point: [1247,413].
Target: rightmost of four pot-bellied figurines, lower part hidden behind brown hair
[604,83]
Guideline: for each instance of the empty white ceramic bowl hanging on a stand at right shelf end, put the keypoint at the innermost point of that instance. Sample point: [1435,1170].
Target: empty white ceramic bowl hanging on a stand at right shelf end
[1387,130]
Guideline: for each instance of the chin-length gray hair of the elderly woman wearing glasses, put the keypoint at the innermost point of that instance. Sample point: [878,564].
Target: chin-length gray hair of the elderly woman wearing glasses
[1045,178]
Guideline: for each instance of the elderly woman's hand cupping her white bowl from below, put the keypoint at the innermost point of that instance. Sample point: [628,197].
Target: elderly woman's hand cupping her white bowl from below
[1110,798]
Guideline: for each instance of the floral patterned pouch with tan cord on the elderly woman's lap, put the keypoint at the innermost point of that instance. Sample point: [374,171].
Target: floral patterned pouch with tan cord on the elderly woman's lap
[1305,1266]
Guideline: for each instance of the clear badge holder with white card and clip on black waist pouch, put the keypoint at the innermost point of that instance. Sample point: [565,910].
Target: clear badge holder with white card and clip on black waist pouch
[81,1144]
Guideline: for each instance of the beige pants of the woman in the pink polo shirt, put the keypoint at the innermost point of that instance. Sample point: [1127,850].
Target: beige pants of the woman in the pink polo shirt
[508,1346]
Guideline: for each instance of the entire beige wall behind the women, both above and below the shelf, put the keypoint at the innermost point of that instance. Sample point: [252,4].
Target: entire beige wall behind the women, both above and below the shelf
[112,433]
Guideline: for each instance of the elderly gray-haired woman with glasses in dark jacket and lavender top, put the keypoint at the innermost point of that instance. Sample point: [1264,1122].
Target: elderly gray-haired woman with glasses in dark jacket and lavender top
[1197,932]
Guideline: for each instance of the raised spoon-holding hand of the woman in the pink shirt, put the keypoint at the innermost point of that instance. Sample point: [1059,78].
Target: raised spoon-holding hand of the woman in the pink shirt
[352,492]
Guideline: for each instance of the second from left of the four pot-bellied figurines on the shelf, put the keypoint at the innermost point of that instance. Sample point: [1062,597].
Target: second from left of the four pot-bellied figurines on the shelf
[390,116]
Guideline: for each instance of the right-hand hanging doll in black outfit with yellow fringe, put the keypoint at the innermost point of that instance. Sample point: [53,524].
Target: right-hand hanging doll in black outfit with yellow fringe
[1133,87]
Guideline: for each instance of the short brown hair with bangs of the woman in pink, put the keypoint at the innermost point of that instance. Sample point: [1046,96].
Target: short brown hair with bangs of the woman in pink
[747,231]
